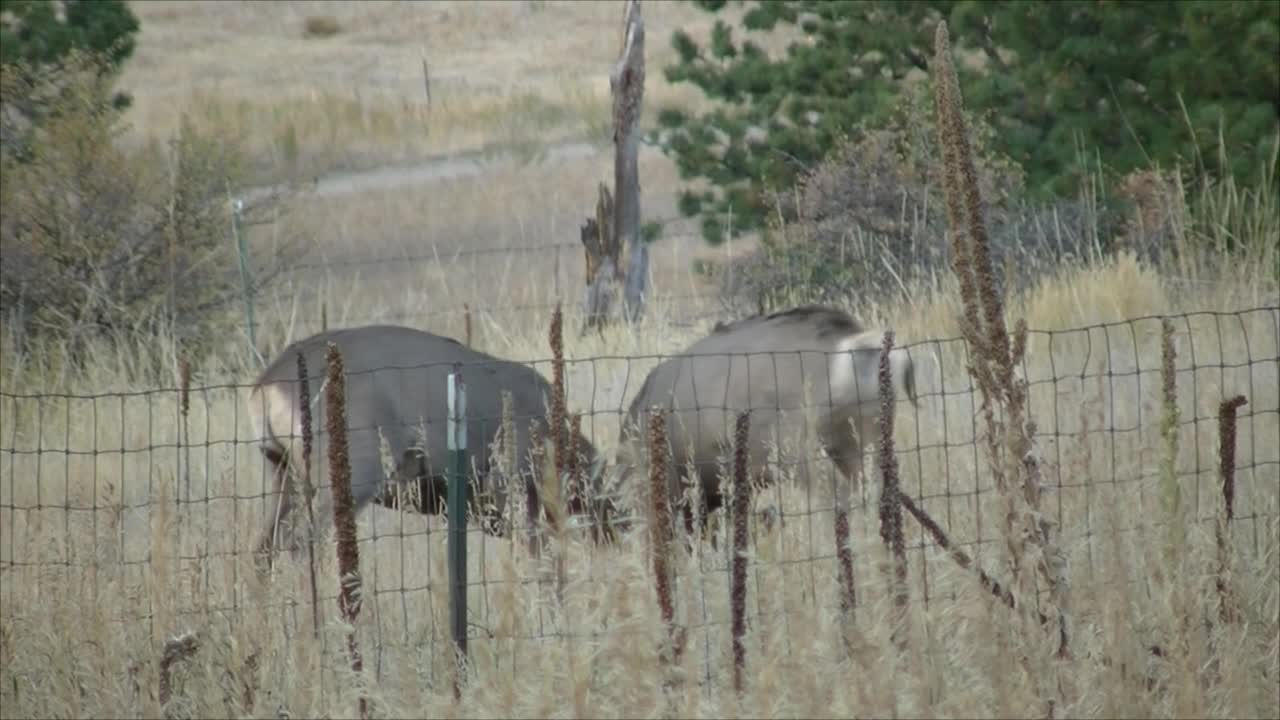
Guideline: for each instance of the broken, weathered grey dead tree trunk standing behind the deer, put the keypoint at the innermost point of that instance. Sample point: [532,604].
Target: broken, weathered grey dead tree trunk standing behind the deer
[605,243]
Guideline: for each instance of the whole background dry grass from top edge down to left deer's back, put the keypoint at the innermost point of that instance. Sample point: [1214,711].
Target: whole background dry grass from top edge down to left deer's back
[519,121]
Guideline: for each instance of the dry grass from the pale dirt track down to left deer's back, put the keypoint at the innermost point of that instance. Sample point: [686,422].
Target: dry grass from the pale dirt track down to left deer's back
[413,254]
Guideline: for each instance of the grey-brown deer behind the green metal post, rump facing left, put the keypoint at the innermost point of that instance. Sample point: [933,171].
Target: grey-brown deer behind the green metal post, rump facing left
[397,393]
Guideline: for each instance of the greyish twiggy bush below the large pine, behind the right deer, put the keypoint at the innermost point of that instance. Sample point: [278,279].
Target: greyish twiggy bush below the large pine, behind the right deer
[871,218]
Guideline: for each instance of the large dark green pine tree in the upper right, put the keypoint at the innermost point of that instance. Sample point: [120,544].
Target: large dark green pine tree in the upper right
[1131,84]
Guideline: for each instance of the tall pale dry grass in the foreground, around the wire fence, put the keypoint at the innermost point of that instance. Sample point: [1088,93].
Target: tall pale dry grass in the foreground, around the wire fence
[102,543]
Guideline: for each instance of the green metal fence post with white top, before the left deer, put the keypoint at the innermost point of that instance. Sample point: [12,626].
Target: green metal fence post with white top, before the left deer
[458,539]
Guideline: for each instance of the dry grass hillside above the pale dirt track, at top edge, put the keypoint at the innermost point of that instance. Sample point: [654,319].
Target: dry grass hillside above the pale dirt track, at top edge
[511,74]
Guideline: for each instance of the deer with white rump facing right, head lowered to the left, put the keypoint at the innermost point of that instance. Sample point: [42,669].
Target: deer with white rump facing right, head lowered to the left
[807,361]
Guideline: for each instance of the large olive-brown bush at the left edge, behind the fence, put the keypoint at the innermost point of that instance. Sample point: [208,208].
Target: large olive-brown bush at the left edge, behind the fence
[102,243]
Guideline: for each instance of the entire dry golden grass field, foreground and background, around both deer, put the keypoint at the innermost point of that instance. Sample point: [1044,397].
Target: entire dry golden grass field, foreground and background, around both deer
[122,527]
